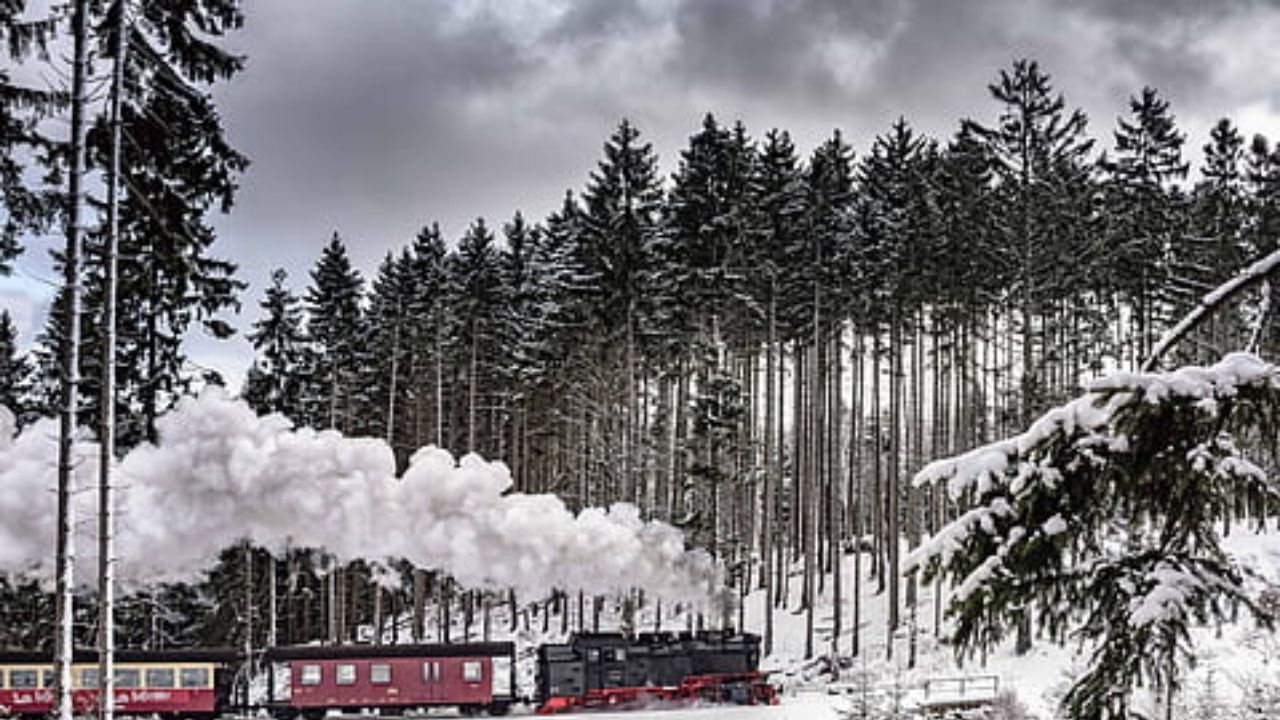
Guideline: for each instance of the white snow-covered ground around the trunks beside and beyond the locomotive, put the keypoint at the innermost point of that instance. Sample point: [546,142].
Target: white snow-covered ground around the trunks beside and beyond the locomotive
[1228,662]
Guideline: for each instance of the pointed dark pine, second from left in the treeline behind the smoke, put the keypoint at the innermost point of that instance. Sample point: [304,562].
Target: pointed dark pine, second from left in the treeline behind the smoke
[335,315]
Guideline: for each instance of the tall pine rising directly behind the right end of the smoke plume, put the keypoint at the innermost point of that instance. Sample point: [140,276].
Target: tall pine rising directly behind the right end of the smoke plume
[703,276]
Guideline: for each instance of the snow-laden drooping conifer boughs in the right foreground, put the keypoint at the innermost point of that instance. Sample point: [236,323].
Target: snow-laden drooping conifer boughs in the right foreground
[1100,523]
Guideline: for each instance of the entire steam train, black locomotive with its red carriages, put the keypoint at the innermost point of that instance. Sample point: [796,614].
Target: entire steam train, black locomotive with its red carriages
[309,682]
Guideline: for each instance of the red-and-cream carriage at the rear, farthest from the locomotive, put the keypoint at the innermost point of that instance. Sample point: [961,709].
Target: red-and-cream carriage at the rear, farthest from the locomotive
[185,683]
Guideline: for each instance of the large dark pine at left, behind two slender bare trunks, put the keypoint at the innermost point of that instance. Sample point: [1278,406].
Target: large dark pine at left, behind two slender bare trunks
[179,170]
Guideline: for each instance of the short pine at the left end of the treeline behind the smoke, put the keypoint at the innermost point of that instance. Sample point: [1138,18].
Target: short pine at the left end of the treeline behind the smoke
[278,377]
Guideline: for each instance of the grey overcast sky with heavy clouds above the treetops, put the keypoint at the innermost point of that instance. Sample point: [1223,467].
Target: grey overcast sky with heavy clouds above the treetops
[377,117]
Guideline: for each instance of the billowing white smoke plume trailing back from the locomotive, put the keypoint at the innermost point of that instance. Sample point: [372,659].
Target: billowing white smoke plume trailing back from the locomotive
[221,473]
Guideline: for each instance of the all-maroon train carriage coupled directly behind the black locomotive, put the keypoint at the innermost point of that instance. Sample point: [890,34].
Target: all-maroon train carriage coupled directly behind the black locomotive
[310,681]
